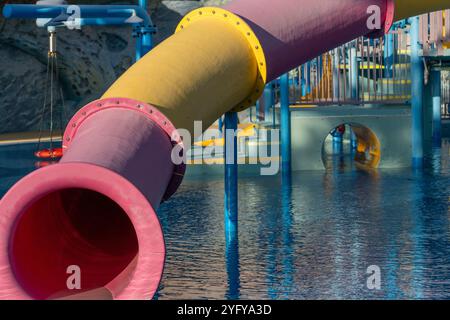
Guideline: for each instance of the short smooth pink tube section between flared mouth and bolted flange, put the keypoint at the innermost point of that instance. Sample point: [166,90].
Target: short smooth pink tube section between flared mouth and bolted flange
[124,140]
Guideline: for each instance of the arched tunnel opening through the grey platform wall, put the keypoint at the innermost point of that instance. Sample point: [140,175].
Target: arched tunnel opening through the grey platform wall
[351,146]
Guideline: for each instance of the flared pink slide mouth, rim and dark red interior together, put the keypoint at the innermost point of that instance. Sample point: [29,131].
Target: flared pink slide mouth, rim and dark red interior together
[38,245]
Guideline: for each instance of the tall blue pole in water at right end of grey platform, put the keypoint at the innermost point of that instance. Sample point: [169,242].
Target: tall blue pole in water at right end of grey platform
[417,76]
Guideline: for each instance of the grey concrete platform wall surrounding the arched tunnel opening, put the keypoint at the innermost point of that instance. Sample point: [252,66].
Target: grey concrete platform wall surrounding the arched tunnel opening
[390,124]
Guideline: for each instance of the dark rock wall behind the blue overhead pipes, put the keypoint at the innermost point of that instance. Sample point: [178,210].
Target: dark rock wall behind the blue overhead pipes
[89,59]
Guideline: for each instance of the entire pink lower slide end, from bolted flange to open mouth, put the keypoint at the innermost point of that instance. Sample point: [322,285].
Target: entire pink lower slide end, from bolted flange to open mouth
[95,210]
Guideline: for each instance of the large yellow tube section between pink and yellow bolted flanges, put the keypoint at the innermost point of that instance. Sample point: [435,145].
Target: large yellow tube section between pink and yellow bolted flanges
[197,74]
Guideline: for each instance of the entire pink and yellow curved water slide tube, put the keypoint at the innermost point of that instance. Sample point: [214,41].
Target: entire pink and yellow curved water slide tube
[95,210]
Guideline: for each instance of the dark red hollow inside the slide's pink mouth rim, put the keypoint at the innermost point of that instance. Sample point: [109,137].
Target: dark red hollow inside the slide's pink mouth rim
[70,242]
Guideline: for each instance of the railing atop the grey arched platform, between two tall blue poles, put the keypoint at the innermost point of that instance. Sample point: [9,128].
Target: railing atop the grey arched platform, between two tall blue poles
[364,71]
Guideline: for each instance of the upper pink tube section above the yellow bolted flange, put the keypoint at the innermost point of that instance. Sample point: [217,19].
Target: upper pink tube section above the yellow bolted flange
[292,32]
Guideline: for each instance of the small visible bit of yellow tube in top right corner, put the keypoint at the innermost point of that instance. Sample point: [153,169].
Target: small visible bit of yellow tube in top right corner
[410,8]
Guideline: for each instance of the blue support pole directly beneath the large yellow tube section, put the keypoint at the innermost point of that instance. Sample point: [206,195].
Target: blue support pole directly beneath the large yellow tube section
[231,174]
